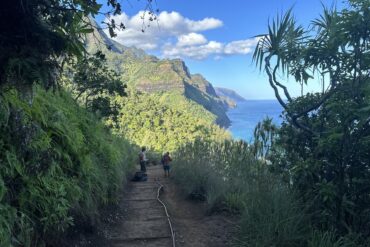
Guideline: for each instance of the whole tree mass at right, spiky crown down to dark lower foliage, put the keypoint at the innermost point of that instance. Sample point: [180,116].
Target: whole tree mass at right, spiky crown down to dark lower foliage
[324,142]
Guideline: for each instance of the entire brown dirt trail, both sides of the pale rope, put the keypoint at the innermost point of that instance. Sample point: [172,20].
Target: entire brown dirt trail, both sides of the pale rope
[140,219]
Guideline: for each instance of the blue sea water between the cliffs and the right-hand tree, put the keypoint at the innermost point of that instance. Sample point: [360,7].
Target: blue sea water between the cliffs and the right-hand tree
[247,114]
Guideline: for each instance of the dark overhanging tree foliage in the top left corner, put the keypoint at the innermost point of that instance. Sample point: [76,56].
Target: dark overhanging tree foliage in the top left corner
[38,36]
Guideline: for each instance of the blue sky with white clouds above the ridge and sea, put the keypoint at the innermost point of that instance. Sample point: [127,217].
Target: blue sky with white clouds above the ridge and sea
[215,38]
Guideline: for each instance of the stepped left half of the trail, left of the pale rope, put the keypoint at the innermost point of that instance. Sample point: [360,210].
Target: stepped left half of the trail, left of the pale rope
[145,221]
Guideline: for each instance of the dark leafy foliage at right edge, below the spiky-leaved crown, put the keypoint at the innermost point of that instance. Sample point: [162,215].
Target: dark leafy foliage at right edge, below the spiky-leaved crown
[331,171]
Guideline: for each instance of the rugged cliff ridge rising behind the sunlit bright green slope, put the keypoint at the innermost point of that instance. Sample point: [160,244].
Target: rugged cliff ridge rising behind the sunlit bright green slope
[149,74]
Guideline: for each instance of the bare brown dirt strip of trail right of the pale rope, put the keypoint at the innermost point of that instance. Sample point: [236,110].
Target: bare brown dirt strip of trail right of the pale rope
[193,227]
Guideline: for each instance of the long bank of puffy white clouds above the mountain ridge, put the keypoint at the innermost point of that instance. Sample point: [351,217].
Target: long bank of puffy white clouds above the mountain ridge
[177,36]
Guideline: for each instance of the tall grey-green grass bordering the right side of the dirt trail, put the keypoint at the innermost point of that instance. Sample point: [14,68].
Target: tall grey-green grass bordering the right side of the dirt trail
[229,177]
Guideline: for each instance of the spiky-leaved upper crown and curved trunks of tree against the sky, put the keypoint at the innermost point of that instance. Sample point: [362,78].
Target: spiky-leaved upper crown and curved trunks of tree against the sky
[337,48]
